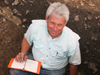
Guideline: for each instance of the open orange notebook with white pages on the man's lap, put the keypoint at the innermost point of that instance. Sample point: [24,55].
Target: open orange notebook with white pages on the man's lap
[28,65]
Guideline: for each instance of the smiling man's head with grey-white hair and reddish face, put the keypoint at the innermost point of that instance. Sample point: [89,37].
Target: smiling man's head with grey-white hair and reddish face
[57,16]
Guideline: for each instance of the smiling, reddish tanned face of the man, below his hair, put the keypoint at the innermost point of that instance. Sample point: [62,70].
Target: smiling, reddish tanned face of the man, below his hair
[55,25]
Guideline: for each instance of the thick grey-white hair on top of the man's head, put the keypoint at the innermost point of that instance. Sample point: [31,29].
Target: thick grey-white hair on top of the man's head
[58,9]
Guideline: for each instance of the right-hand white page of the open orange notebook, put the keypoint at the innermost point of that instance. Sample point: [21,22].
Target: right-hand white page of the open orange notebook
[31,65]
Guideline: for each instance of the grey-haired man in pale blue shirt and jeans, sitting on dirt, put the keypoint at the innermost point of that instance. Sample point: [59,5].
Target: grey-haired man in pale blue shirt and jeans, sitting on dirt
[54,44]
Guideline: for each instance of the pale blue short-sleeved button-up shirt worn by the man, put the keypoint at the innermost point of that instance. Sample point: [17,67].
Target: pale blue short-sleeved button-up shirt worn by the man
[53,53]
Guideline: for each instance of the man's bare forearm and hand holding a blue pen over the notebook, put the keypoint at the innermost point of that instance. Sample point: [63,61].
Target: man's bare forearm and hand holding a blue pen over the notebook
[24,48]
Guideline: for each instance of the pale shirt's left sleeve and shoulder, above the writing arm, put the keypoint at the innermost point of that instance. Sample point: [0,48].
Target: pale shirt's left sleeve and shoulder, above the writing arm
[33,30]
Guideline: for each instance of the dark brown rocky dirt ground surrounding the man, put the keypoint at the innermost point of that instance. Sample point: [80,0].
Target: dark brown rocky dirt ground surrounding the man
[16,16]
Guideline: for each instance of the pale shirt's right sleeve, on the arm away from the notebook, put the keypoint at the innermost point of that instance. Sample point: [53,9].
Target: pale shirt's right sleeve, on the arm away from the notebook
[74,54]
